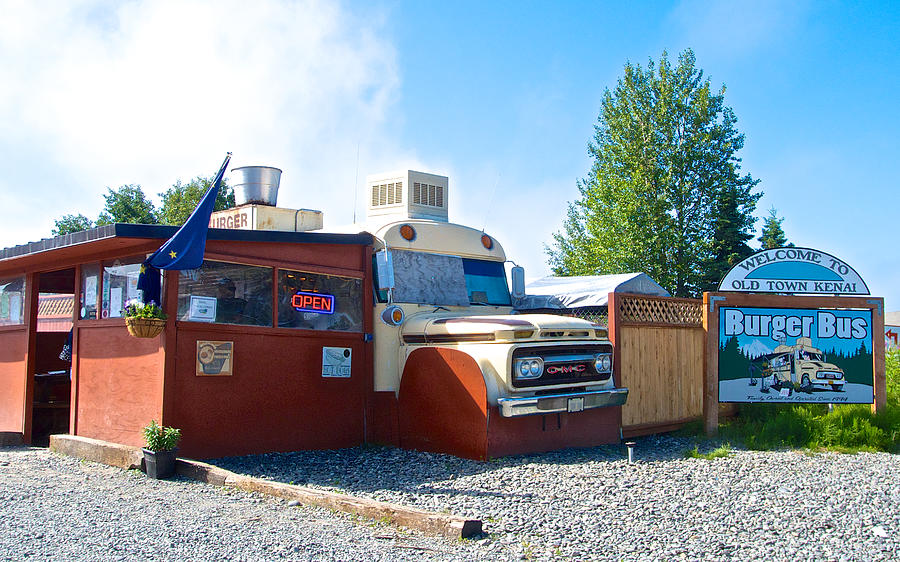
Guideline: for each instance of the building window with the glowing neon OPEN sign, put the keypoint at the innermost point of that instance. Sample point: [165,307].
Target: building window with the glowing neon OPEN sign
[313,301]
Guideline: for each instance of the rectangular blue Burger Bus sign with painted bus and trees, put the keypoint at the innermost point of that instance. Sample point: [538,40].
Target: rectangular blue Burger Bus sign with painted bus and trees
[795,355]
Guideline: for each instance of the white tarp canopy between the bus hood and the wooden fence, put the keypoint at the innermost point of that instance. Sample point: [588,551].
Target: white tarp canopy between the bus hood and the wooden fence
[586,290]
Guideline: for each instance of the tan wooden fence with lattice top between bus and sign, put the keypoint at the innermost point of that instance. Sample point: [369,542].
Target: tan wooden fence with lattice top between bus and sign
[660,346]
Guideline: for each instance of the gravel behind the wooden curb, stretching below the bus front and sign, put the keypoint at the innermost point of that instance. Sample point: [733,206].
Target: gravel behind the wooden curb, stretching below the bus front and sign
[592,504]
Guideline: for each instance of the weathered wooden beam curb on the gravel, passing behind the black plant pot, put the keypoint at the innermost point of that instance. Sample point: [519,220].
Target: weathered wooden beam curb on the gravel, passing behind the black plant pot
[124,456]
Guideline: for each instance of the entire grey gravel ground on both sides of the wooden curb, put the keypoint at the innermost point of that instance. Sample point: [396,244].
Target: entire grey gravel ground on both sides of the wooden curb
[582,504]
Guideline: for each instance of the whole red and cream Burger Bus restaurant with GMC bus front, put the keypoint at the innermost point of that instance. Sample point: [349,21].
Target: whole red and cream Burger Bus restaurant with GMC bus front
[290,338]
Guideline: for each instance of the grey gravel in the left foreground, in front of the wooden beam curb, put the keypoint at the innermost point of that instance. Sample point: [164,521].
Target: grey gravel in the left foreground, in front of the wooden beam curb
[54,507]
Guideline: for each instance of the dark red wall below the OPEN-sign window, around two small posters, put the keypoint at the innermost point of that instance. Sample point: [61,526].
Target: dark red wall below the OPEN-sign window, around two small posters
[275,400]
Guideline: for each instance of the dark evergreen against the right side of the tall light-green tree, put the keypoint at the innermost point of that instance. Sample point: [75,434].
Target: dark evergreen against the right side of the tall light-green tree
[732,229]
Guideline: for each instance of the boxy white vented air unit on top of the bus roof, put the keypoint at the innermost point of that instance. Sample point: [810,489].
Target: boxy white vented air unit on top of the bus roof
[407,194]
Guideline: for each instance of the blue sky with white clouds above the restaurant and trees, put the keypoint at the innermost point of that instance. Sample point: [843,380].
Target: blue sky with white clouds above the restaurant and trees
[500,96]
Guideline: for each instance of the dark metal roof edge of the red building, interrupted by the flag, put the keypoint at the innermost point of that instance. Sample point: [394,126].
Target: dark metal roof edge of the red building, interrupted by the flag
[165,232]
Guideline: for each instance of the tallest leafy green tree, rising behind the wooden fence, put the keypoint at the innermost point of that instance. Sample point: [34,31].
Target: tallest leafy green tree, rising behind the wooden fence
[665,151]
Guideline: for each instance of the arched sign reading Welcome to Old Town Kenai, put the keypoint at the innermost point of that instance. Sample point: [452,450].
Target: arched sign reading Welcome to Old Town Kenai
[796,271]
